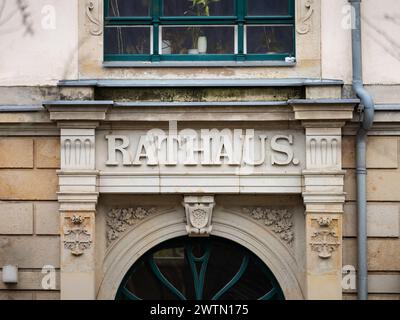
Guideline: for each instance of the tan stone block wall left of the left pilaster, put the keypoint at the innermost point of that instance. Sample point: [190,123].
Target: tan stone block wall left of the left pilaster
[29,218]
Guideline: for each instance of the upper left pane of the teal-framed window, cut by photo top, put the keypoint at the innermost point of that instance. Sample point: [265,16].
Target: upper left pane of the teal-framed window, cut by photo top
[123,8]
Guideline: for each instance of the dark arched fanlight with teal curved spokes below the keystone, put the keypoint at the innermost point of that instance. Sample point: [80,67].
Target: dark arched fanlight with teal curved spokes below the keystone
[211,268]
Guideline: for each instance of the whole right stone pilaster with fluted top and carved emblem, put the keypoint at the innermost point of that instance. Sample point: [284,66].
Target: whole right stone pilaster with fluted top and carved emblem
[323,192]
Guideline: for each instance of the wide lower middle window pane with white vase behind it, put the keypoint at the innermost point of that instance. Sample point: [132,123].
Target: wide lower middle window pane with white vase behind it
[198,40]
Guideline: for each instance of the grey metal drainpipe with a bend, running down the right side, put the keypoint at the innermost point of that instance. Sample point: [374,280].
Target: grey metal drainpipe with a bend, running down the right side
[368,110]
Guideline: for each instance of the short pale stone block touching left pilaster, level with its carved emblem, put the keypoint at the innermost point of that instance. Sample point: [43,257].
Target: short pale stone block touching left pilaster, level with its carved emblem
[47,218]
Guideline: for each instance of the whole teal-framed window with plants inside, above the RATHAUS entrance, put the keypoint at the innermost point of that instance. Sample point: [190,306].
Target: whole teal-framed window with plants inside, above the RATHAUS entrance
[198,30]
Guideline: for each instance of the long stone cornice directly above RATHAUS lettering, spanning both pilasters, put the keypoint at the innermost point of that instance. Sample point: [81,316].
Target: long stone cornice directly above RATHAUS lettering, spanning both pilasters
[312,112]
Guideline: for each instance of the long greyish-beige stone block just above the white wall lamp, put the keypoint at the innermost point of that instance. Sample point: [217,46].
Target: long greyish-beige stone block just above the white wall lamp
[30,252]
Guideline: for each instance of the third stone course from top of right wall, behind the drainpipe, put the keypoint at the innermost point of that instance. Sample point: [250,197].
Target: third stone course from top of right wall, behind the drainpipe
[383,220]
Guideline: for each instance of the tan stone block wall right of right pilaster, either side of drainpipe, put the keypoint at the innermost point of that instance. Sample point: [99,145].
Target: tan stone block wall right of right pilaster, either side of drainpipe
[383,215]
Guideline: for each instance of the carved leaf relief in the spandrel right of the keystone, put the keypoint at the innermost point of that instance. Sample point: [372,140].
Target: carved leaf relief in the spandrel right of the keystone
[278,220]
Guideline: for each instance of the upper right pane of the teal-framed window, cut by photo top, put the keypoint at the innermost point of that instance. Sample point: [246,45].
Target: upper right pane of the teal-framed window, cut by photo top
[267,7]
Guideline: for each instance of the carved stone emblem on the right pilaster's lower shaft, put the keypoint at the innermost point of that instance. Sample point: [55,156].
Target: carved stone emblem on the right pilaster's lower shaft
[324,240]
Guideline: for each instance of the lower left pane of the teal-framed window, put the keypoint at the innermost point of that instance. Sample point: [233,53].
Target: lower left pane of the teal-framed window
[127,40]
